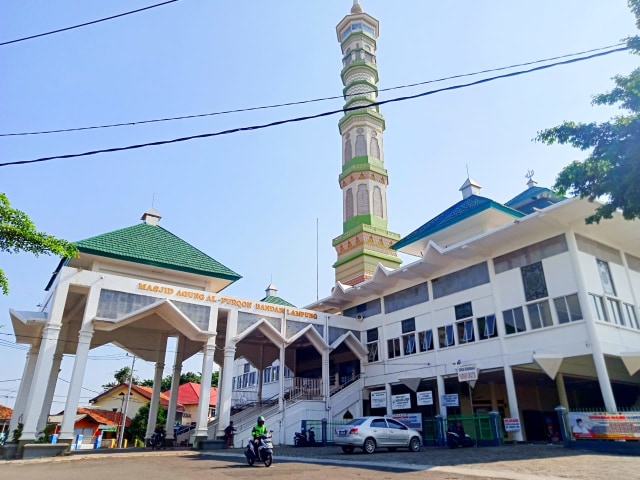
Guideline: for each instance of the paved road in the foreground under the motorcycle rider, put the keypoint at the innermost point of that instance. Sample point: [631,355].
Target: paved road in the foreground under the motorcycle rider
[510,462]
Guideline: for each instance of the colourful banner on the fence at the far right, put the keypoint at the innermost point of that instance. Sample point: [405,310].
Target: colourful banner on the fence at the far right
[609,426]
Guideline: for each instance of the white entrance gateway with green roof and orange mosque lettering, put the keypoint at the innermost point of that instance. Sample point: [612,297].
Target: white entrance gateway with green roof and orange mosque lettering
[138,286]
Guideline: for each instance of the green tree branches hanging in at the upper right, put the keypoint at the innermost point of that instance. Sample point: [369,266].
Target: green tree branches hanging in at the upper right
[611,172]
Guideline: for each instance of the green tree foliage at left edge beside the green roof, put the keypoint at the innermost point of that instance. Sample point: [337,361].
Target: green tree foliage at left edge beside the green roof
[18,234]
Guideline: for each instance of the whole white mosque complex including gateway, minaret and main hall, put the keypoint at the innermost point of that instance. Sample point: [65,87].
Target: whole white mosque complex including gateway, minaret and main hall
[514,307]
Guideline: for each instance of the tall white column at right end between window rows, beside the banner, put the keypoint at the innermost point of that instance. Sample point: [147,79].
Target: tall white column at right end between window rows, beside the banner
[596,349]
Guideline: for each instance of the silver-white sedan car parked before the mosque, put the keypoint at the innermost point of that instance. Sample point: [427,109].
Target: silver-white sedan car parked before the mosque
[370,433]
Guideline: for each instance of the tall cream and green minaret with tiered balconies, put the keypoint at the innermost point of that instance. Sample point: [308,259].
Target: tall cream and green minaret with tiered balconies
[365,240]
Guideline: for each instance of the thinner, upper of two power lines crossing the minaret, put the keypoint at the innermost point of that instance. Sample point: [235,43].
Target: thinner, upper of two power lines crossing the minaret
[301,102]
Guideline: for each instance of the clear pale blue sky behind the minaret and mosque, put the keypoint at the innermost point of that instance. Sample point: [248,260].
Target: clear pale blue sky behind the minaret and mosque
[253,200]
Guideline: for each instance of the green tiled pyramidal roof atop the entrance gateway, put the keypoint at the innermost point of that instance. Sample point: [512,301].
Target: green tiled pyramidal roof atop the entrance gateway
[153,245]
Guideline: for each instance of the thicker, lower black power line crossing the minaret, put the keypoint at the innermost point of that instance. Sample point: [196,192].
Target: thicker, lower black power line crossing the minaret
[311,117]
